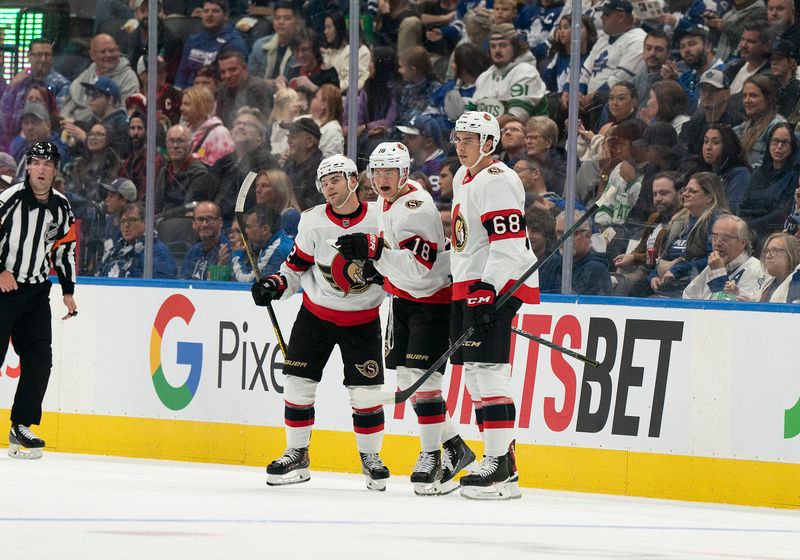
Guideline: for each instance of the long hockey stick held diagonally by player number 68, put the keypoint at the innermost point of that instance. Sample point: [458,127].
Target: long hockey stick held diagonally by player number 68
[385,397]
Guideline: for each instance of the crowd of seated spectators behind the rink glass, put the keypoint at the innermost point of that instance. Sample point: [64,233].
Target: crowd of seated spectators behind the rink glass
[687,107]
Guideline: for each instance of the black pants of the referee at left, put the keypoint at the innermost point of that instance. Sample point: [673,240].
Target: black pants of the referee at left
[25,318]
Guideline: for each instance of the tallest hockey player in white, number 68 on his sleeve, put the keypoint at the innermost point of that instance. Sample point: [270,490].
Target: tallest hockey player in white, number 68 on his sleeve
[490,251]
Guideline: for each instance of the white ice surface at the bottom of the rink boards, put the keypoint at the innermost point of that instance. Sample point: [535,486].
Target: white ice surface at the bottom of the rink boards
[66,507]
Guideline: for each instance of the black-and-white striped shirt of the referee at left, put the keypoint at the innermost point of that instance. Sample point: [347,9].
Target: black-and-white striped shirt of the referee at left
[34,235]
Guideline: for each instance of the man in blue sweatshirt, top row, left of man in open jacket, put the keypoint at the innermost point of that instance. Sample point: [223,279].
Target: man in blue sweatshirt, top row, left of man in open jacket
[202,49]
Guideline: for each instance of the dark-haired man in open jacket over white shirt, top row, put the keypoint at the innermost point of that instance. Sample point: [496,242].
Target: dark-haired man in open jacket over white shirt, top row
[271,56]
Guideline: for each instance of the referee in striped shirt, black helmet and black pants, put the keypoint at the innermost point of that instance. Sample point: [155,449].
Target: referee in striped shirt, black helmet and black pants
[36,230]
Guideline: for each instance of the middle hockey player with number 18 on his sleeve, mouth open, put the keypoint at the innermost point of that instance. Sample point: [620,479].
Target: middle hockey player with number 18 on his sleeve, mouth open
[409,251]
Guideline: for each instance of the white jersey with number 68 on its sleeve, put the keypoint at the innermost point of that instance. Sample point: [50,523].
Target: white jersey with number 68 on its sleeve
[489,238]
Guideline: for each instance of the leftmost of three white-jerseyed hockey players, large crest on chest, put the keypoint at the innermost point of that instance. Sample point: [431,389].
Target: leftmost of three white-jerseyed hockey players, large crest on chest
[328,318]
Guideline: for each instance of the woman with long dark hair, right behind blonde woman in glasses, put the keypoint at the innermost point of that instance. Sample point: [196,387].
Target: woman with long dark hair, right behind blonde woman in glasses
[723,155]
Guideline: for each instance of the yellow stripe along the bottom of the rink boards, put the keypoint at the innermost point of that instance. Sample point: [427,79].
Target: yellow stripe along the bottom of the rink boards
[677,477]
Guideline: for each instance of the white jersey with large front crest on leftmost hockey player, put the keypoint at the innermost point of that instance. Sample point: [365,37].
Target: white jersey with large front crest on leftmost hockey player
[320,270]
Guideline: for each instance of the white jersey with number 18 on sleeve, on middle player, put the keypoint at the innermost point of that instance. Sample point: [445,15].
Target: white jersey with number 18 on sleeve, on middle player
[417,266]
